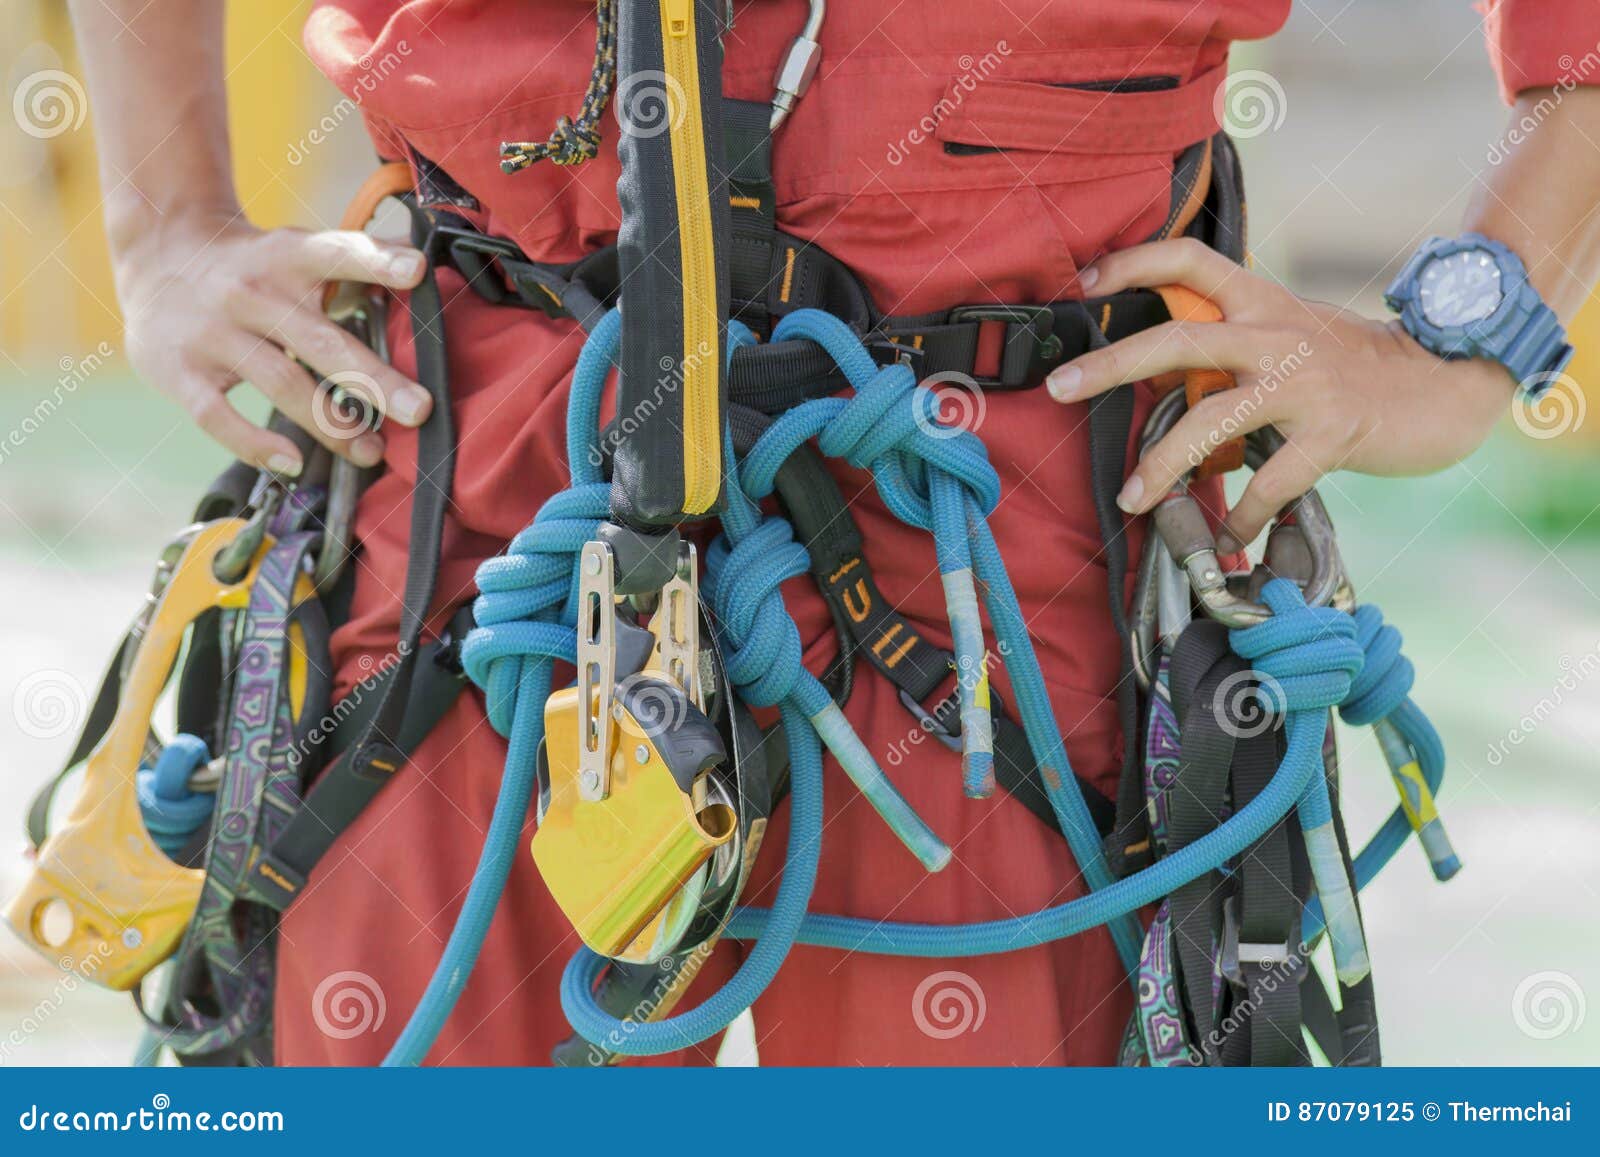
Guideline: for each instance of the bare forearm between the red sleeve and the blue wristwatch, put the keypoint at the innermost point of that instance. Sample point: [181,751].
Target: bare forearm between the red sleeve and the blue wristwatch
[1543,199]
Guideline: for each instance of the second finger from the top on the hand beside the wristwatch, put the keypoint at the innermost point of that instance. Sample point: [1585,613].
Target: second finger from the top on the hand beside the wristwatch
[1164,350]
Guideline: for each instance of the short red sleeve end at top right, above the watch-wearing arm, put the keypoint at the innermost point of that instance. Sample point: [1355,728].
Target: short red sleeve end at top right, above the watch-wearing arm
[1543,44]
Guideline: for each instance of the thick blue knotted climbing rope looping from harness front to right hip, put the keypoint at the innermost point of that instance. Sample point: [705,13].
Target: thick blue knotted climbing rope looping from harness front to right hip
[942,481]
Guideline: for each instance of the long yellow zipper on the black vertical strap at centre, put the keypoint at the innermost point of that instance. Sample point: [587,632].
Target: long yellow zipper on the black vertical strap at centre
[702,374]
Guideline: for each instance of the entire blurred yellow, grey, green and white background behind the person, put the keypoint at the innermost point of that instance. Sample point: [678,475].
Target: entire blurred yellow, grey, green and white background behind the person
[1362,126]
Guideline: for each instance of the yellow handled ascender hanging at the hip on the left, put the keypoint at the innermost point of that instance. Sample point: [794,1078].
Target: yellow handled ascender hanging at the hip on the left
[103,899]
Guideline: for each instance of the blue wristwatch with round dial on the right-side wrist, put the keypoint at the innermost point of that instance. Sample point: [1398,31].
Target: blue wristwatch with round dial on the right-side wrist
[1471,298]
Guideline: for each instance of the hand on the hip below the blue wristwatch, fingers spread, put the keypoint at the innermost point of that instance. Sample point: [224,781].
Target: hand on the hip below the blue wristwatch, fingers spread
[1348,393]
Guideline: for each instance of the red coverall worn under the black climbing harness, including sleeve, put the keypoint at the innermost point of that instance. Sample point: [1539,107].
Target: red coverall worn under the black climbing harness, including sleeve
[862,169]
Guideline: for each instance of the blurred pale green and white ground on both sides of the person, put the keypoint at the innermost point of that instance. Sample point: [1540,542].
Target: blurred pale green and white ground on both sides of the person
[1489,569]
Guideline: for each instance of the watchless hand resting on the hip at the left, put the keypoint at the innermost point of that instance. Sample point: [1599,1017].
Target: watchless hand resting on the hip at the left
[210,303]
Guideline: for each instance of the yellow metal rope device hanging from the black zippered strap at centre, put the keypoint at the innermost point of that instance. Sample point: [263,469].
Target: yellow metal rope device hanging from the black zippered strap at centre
[630,814]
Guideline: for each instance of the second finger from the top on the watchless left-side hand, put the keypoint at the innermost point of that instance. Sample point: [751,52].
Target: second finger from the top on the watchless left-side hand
[338,356]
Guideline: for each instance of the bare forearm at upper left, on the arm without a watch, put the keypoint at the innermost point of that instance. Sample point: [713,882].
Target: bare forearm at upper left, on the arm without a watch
[161,108]
